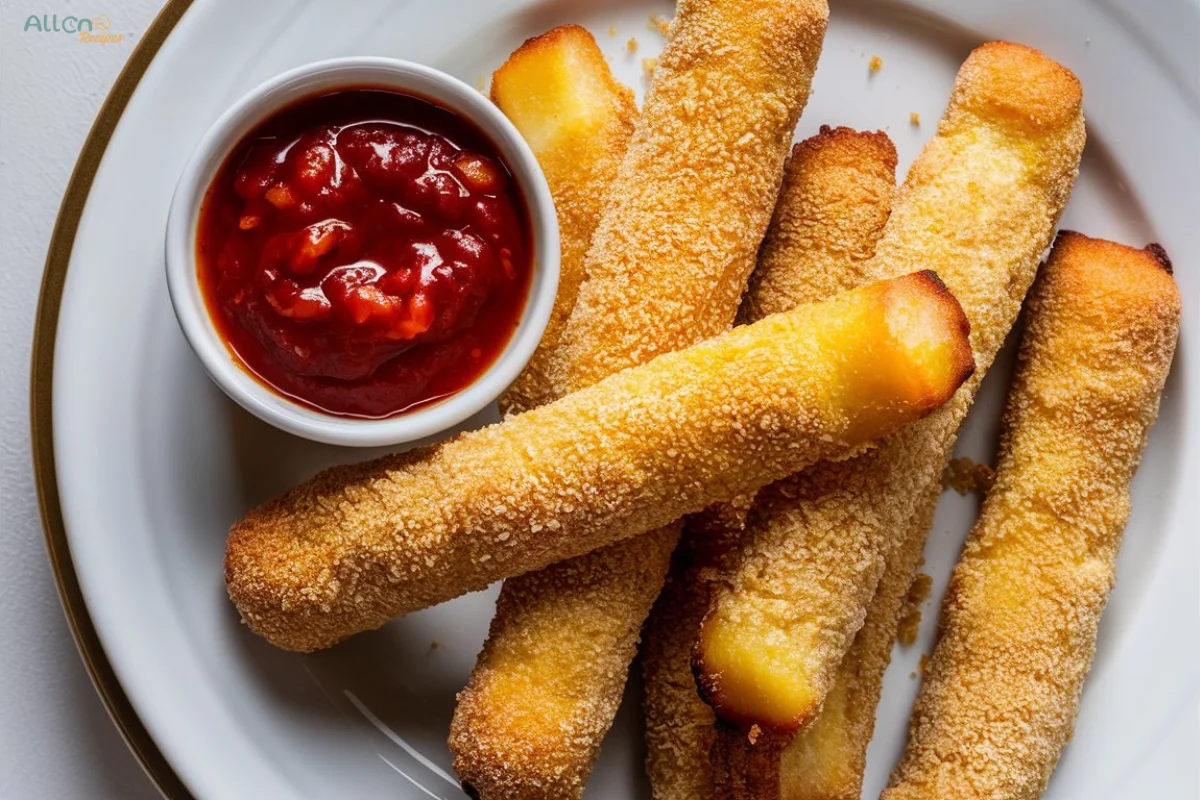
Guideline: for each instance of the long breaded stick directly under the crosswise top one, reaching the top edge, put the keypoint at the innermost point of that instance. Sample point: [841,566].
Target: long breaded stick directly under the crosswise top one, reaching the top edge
[675,245]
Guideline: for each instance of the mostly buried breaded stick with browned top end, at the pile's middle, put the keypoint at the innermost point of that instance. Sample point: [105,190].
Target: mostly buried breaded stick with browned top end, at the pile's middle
[835,201]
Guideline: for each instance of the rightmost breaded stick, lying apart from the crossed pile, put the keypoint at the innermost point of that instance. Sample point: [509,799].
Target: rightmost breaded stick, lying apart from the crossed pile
[1019,622]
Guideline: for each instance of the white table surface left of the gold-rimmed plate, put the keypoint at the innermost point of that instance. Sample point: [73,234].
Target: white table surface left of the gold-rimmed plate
[56,738]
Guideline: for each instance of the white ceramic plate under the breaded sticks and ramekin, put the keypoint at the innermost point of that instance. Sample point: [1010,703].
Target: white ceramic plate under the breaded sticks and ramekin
[153,462]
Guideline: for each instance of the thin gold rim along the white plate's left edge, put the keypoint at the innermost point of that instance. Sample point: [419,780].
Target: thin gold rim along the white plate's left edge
[58,260]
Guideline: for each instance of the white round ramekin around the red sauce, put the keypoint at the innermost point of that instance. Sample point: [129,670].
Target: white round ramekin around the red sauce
[269,98]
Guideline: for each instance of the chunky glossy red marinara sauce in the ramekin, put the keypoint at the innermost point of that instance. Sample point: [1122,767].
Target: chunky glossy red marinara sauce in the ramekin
[365,252]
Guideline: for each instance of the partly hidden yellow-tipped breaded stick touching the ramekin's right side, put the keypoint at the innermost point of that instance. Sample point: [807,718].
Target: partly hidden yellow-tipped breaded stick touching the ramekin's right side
[559,92]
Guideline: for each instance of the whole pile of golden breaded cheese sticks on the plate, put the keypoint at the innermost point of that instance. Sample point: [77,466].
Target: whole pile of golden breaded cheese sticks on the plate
[731,440]
